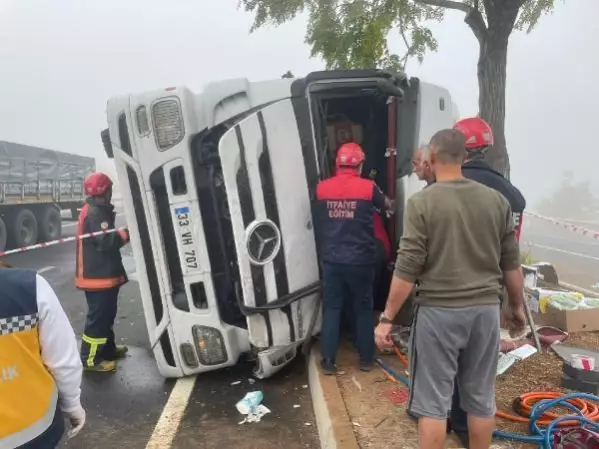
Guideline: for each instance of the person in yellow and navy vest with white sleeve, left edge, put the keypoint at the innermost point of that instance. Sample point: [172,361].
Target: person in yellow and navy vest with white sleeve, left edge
[40,369]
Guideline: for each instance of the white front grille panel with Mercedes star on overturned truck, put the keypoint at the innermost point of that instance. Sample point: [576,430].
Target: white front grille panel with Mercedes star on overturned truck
[268,199]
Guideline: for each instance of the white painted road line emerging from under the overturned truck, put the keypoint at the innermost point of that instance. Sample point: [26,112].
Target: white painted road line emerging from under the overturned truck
[172,414]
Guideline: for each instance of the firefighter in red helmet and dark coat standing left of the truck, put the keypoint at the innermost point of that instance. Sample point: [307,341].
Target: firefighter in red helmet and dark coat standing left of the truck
[100,273]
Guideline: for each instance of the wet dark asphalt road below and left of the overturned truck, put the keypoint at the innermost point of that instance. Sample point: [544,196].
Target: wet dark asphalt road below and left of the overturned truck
[123,408]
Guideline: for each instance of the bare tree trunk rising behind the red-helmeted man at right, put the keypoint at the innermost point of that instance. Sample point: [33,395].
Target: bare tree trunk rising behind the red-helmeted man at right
[492,65]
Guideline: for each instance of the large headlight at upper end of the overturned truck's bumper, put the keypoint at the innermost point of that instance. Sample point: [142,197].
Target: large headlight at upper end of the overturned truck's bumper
[168,123]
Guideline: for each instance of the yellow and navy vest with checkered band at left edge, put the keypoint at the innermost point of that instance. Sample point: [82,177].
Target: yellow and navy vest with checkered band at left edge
[28,393]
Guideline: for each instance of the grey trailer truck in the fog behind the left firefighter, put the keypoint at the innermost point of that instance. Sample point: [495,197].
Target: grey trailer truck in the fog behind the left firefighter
[35,185]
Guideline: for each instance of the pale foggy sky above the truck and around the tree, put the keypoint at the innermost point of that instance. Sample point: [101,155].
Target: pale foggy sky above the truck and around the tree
[62,59]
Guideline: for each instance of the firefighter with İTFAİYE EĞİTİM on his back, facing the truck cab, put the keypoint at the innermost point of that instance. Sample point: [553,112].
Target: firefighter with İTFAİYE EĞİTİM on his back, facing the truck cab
[345,235]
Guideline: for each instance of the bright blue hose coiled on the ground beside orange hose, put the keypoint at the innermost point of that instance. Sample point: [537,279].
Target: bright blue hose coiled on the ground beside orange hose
[542,437]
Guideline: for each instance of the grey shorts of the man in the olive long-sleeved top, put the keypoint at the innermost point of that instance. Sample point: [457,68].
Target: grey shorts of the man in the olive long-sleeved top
[446,342]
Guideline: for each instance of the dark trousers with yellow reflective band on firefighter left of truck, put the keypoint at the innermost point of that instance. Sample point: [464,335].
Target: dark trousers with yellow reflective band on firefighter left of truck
[98,337]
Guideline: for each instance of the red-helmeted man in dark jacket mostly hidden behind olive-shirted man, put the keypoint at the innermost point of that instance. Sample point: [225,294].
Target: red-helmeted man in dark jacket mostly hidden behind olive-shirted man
[479,137]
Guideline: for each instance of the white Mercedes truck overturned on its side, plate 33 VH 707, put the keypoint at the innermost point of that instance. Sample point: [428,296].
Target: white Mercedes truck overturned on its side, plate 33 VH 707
[218,186]
